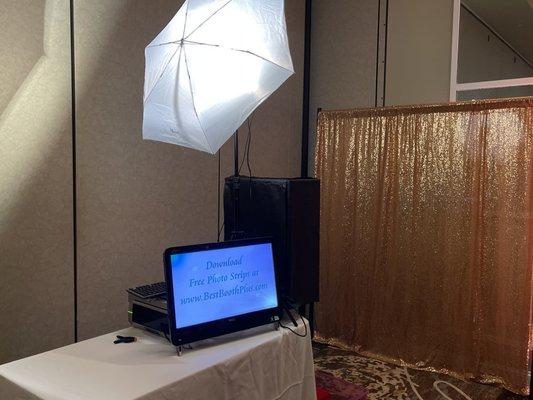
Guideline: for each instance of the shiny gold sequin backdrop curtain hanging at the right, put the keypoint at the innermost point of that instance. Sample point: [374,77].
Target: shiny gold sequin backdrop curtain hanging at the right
[426,231]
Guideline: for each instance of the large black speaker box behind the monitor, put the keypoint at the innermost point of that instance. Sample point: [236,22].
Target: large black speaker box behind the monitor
[287,210]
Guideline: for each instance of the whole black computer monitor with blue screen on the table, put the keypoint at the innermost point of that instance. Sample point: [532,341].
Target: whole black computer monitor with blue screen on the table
[219,288]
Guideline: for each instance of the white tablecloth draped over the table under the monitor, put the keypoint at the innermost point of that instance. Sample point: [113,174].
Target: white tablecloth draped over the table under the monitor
[259,364]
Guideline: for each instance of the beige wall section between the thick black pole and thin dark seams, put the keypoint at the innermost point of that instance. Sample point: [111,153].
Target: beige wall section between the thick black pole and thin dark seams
[343,57]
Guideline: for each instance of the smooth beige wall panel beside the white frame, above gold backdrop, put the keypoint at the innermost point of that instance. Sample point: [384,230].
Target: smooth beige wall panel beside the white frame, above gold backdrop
[419,51]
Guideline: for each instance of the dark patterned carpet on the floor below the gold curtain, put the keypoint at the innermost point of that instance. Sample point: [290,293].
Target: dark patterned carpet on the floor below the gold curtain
[387,381]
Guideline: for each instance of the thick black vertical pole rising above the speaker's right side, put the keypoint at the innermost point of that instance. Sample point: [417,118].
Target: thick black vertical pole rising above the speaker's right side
[307,81]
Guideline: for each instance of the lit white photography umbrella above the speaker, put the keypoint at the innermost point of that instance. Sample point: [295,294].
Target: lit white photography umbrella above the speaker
[211,67]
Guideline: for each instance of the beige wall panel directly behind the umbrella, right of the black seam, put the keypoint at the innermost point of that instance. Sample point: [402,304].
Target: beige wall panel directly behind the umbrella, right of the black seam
[135,197]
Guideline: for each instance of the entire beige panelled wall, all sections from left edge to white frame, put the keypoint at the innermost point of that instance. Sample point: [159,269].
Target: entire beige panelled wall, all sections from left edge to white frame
[135,198]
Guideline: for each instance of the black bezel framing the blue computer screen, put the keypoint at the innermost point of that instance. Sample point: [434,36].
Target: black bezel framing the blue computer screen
[206,330]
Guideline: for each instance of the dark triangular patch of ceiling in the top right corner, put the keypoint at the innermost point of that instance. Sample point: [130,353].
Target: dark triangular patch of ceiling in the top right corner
[511,19]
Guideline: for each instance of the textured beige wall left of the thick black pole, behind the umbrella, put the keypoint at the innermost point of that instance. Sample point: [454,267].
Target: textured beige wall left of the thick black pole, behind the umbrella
[86,206]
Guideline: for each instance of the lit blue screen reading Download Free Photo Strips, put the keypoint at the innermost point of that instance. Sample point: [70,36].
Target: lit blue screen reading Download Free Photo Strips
[215,284]
